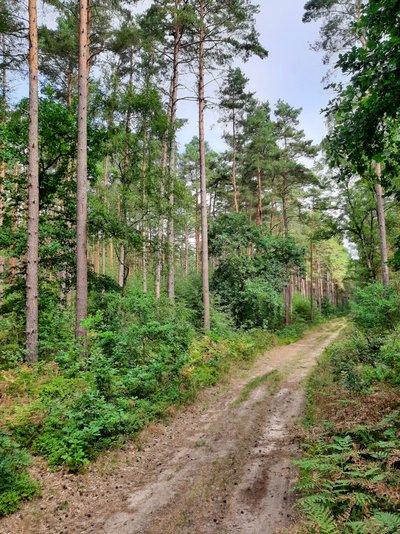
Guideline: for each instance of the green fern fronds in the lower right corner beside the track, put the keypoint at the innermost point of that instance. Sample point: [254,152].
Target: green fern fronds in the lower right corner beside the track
[349,478]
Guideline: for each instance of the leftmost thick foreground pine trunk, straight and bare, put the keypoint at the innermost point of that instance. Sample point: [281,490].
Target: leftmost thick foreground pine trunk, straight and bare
[32,267]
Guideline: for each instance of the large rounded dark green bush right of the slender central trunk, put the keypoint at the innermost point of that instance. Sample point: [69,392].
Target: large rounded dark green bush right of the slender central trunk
[250,284]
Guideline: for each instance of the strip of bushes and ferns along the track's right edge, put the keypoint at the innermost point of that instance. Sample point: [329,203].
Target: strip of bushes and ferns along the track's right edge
[350,467]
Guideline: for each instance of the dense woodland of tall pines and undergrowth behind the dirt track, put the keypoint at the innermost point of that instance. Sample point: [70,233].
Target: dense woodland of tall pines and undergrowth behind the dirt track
[125,258]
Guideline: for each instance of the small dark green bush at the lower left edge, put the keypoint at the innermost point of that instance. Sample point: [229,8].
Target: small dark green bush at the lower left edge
[15,482]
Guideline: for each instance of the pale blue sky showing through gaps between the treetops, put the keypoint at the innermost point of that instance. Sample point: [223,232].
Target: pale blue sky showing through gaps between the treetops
[292,72]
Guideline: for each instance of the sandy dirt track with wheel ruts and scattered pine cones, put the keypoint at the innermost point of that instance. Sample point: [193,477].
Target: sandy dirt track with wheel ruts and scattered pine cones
[220,465]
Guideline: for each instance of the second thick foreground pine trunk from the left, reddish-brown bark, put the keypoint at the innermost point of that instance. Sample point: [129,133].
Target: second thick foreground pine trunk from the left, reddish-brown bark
[82,182]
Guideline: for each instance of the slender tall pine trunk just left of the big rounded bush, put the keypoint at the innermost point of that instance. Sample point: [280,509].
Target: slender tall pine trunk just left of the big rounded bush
[203,177]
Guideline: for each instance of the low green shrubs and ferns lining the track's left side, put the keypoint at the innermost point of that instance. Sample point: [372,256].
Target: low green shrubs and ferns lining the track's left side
[143,357]
